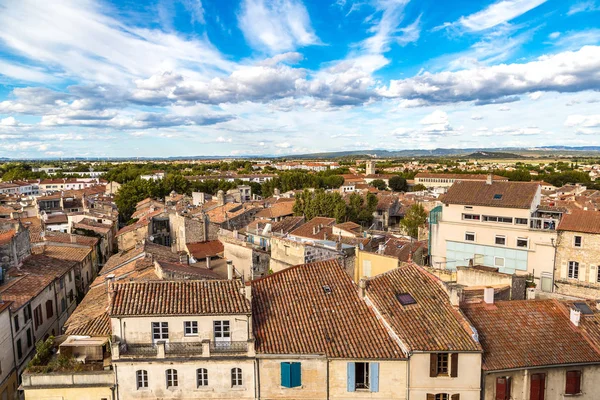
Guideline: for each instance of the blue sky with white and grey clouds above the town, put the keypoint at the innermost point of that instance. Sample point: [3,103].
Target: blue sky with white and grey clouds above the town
[159,78]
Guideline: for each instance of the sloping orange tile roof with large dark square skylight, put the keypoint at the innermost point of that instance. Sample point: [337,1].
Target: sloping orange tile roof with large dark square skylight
[432,324]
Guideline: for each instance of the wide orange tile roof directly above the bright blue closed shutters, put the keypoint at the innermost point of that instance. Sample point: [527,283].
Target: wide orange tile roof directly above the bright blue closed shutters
[294,315]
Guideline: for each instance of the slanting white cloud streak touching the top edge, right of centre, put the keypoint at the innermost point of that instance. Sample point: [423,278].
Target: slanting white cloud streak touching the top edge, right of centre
[498,13]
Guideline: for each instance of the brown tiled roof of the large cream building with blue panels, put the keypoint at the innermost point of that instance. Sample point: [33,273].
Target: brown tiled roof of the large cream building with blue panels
[498,194]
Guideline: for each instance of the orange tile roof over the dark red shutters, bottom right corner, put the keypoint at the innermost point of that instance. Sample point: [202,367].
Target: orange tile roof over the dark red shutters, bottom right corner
[528,333]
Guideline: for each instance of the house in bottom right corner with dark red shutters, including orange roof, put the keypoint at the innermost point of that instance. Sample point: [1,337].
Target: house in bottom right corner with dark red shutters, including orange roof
[537,349]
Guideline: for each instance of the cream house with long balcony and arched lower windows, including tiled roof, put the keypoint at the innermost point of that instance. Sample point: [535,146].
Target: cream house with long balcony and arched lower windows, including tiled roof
[166,348]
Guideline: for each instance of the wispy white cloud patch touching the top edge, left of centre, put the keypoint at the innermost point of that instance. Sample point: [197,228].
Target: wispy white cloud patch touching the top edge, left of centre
[276,25]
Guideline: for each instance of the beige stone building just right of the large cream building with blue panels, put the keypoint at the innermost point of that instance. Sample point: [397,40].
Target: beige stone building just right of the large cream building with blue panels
[577,268]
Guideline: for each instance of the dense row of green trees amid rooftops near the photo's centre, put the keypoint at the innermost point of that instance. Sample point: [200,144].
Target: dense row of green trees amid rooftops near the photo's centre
[332,205]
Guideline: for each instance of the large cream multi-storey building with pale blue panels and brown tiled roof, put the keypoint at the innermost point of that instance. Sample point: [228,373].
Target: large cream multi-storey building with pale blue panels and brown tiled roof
[495,224]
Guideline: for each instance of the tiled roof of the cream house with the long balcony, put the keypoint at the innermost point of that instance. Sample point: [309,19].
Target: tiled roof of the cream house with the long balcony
[213,297]
